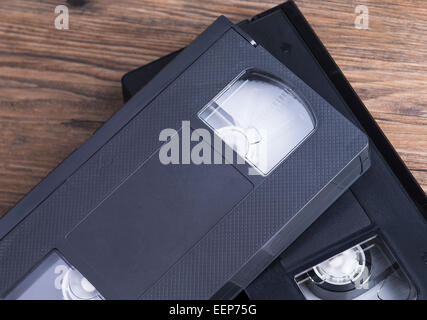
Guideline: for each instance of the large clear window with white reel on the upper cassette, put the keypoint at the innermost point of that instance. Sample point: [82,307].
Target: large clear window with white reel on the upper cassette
[260,117]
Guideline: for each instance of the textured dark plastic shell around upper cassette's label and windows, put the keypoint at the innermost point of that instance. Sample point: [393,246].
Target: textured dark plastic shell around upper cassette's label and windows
[240,245]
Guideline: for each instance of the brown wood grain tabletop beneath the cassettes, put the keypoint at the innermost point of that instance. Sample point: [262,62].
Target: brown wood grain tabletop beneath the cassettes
[58,86]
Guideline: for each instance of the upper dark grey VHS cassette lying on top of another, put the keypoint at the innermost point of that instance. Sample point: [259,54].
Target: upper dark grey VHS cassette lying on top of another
[129,226]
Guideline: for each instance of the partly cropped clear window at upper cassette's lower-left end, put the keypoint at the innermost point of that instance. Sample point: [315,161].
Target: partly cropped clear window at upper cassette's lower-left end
[54,279]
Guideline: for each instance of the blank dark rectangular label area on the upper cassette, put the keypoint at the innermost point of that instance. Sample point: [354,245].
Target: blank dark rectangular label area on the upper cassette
[153,219]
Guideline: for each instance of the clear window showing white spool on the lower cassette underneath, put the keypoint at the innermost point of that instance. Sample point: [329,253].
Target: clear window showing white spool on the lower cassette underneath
[366,271]
